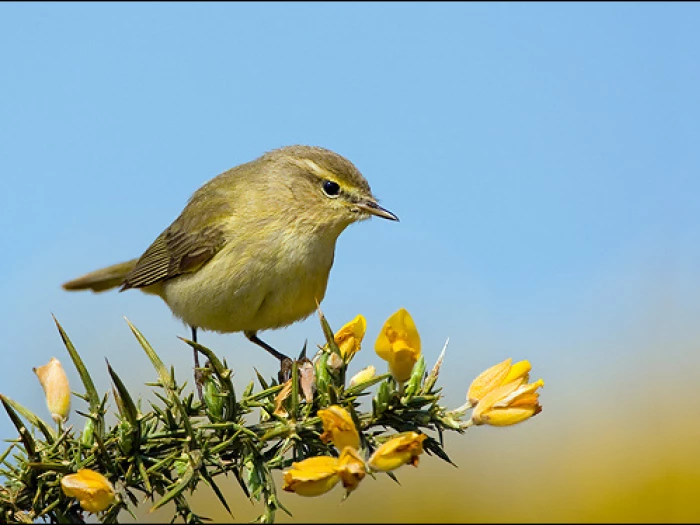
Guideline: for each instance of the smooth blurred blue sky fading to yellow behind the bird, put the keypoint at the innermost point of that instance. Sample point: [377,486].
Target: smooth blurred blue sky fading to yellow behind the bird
[543,160]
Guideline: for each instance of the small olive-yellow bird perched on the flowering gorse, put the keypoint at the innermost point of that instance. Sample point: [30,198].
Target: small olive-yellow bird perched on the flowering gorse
[253,247]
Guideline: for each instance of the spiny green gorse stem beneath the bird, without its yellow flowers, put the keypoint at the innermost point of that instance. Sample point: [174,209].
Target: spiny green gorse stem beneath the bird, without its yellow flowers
[165,451]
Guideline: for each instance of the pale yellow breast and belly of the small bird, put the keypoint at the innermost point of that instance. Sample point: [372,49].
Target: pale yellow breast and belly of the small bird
[254,285]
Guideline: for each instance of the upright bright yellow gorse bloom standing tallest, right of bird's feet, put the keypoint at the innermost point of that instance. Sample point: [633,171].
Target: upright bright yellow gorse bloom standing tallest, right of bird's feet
[399,344]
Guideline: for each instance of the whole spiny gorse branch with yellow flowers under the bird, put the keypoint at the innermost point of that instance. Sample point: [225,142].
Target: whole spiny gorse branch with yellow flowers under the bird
[309,424]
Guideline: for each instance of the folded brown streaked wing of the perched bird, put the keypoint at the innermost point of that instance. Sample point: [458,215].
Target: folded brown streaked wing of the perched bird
[174,253]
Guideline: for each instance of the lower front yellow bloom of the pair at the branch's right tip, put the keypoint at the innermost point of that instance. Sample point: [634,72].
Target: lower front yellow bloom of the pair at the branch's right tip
[508,404]
